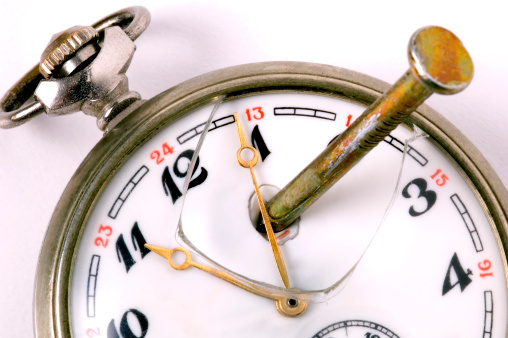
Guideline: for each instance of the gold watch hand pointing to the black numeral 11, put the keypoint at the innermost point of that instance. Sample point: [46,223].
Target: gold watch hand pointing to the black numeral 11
[287,307]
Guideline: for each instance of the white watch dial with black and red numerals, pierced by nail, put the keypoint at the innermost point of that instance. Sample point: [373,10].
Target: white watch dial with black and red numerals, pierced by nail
[402,246]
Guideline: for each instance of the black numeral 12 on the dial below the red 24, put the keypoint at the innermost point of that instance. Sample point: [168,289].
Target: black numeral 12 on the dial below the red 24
[168,183]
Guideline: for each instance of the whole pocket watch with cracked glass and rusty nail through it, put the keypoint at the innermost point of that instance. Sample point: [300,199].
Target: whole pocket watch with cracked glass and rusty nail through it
[270,199]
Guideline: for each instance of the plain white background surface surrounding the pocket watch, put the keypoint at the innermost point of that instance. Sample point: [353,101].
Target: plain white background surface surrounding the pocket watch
[188,38]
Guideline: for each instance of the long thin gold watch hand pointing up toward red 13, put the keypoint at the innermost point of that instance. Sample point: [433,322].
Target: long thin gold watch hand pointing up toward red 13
[266,220]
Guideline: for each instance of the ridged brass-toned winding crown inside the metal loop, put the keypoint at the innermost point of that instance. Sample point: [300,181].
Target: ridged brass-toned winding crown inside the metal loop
[64,46]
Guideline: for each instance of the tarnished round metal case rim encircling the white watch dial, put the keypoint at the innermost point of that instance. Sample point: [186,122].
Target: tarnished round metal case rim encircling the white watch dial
[51,303]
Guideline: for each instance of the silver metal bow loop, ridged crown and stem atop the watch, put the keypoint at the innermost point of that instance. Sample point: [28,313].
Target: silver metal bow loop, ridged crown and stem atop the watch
[65,83]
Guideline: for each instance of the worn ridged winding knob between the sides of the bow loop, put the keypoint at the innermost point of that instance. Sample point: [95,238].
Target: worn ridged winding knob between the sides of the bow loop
[68,50]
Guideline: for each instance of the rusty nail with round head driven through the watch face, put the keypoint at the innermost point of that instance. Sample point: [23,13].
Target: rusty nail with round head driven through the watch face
[438,63]
